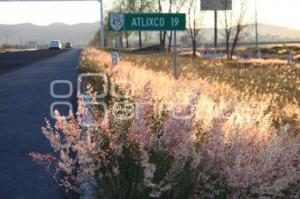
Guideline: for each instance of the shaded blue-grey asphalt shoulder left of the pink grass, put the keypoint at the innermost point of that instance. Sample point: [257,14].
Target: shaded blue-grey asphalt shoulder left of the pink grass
[25,101]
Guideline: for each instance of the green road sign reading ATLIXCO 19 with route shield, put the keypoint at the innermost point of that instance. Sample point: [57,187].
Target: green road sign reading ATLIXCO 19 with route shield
[147,22]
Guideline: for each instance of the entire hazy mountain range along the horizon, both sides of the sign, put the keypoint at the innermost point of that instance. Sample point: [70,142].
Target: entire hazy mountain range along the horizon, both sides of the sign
[81,34]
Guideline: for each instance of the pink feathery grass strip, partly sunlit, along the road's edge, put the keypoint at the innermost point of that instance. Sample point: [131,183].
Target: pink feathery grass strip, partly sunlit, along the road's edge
[161,138]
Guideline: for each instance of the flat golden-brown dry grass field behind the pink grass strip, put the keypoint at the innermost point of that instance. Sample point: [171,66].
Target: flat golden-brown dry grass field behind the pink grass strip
[261,77]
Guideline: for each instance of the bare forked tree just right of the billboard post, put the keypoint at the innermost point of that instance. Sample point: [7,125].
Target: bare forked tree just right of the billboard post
[234,25]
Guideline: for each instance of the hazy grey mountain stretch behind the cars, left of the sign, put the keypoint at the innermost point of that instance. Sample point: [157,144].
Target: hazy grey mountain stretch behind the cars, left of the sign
[79,34]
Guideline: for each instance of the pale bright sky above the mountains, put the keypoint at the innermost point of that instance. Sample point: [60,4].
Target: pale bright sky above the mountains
[276,12]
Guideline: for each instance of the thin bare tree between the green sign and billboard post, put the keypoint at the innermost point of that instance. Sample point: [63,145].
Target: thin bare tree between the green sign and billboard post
[194,21]
